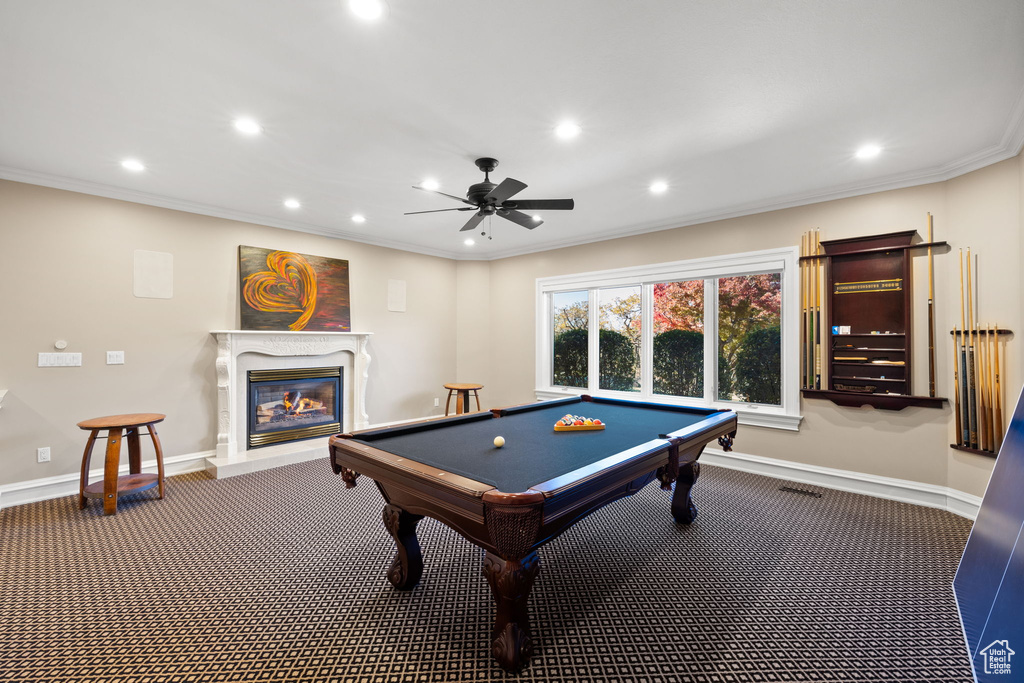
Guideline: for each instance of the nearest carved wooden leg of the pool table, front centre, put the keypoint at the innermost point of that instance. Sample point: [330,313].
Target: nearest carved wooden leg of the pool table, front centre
[511,581]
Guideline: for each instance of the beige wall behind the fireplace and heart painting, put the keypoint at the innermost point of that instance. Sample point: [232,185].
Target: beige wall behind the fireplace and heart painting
[68,263]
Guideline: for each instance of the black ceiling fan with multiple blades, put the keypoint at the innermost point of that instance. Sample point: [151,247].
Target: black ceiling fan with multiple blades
[489,199]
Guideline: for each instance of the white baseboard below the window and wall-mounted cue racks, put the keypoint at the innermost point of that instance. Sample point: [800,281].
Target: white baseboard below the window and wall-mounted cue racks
[930,496]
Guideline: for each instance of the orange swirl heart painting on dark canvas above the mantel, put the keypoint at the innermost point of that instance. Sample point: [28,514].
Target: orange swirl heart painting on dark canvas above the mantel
[284,290]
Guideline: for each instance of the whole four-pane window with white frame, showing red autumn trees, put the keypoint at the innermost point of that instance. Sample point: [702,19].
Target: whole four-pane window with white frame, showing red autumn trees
[718,331]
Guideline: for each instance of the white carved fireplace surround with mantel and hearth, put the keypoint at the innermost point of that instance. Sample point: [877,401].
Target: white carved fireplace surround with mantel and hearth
[242,351]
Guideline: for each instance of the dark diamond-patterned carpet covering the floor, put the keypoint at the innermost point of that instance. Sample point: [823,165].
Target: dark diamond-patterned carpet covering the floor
[279,576]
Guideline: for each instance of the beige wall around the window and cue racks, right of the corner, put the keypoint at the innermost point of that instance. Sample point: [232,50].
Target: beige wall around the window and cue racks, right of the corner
[982,210]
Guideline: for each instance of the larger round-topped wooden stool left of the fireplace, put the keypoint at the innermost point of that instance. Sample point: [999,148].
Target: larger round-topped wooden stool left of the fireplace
[113,486]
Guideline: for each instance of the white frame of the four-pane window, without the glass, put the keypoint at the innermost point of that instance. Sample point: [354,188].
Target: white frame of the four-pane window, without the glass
[784,261]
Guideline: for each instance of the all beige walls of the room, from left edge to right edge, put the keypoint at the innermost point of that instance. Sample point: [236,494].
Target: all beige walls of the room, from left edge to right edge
[68,263]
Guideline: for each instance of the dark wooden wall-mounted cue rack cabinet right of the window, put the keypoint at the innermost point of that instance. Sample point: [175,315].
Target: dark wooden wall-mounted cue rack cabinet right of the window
[868,285]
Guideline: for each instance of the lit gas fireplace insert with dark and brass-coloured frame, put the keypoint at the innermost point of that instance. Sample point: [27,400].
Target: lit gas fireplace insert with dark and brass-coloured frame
[293,405]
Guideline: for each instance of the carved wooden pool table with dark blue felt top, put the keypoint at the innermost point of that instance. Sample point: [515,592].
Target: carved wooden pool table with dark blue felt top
[513,500]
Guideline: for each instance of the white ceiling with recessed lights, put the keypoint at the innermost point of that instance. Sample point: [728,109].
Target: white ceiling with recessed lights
[742,106]
